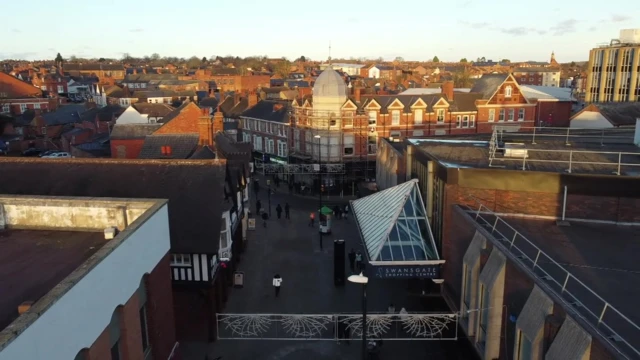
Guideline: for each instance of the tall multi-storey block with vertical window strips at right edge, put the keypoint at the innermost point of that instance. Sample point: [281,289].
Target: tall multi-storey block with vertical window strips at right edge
[614,70]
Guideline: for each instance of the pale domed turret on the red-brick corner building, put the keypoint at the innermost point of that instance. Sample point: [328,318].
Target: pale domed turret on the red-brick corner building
[329,93]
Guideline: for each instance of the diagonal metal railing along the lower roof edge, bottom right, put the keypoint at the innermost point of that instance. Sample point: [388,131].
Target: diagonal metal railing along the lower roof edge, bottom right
[589,306]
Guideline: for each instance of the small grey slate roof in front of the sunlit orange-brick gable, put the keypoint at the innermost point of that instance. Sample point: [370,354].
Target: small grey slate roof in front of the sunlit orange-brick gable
[182,146]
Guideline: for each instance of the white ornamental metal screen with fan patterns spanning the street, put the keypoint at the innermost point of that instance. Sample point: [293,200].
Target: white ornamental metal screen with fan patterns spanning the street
[412,326]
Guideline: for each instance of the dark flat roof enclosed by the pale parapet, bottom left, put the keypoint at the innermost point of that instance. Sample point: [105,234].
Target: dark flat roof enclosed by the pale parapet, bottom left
[32,262]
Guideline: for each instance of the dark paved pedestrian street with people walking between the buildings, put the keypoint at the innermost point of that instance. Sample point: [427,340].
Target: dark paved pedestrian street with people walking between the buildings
[291,248]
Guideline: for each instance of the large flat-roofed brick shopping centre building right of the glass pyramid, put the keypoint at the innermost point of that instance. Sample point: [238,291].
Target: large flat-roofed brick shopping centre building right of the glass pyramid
[500,257]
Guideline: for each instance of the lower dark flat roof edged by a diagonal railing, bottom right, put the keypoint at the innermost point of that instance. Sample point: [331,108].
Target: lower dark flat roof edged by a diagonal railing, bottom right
[591,267]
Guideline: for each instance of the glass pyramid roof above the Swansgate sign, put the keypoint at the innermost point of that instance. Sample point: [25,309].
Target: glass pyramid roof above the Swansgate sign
[394,224]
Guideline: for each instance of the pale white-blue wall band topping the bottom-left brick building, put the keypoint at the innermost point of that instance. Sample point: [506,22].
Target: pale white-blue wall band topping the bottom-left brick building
[78,318]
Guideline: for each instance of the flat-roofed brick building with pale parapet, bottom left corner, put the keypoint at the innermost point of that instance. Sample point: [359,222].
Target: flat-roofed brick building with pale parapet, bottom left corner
[118,312]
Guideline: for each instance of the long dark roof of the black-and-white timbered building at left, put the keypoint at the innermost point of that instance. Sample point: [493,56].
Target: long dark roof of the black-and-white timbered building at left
[194,189]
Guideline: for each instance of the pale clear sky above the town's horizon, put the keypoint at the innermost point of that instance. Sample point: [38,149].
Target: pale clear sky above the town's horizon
[412,29]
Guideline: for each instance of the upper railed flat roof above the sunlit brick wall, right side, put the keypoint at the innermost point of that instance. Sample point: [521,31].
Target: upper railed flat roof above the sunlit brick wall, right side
[583,155]
